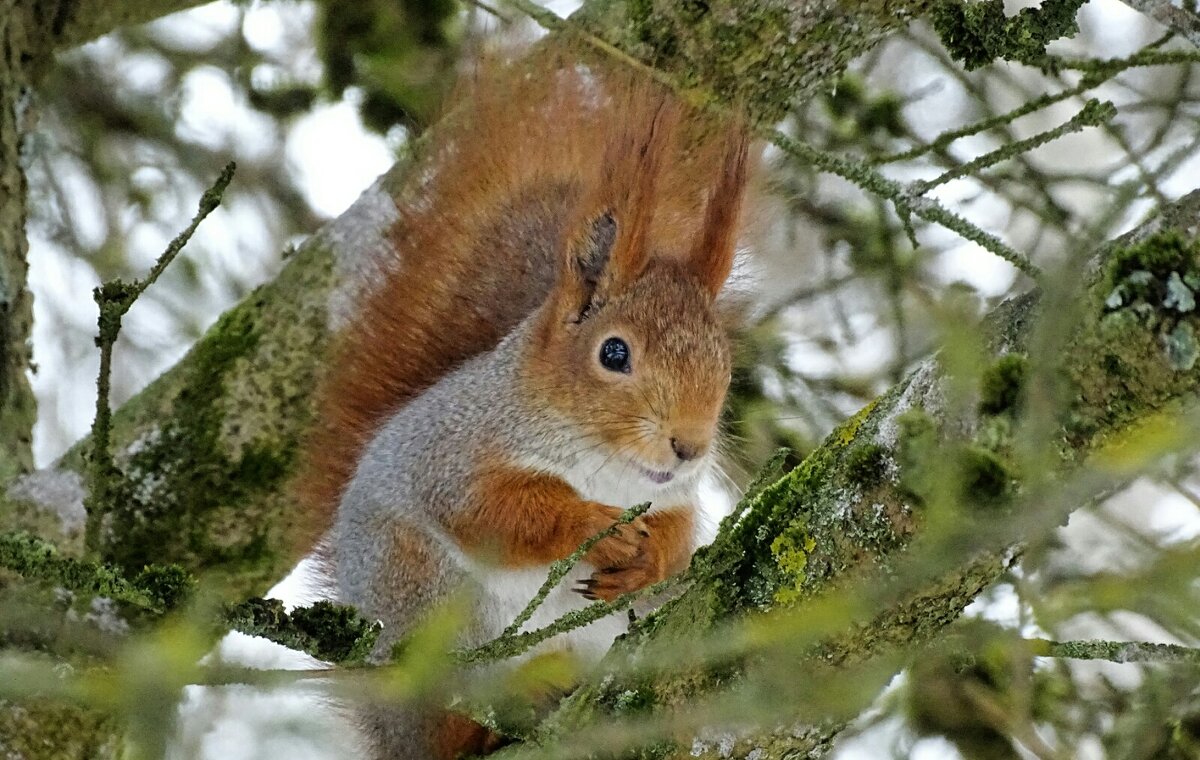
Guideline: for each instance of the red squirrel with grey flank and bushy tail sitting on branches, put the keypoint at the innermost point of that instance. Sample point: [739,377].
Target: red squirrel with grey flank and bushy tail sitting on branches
[543,351]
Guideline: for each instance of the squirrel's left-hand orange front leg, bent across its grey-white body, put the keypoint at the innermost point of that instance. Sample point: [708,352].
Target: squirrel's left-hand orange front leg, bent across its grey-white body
[519,518]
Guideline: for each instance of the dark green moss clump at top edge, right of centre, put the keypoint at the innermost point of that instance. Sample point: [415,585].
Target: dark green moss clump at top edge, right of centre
[979,33]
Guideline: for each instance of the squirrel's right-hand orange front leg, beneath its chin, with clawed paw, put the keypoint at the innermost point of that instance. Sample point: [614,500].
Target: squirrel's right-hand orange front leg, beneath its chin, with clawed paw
[667,552]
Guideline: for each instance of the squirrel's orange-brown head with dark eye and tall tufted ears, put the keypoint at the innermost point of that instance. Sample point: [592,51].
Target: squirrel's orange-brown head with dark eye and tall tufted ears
[629,346]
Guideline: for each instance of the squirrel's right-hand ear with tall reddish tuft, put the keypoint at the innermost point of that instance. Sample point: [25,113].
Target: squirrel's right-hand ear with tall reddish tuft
[712,255]
